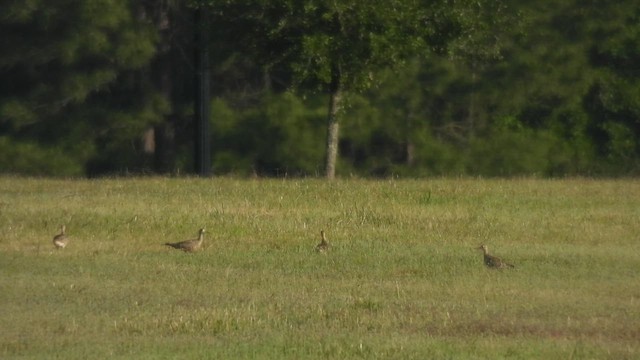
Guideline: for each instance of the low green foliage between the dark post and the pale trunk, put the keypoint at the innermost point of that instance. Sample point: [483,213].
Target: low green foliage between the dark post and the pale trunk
[279,137]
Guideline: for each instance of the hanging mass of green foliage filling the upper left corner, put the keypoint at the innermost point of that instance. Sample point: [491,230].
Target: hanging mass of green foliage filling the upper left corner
[61,53]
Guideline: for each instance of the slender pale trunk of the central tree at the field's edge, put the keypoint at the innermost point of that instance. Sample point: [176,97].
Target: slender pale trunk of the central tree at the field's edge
[333,126]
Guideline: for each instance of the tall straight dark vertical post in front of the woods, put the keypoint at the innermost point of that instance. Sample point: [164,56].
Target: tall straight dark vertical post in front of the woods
[202,104]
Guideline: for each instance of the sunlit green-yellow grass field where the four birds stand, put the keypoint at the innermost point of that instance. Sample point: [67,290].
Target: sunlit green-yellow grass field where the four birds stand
[401,281]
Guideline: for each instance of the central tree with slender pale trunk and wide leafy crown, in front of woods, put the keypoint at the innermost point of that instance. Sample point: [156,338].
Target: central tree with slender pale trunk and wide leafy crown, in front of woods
[334,46]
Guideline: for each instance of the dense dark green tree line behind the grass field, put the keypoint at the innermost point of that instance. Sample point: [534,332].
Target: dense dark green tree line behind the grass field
[417,88]
